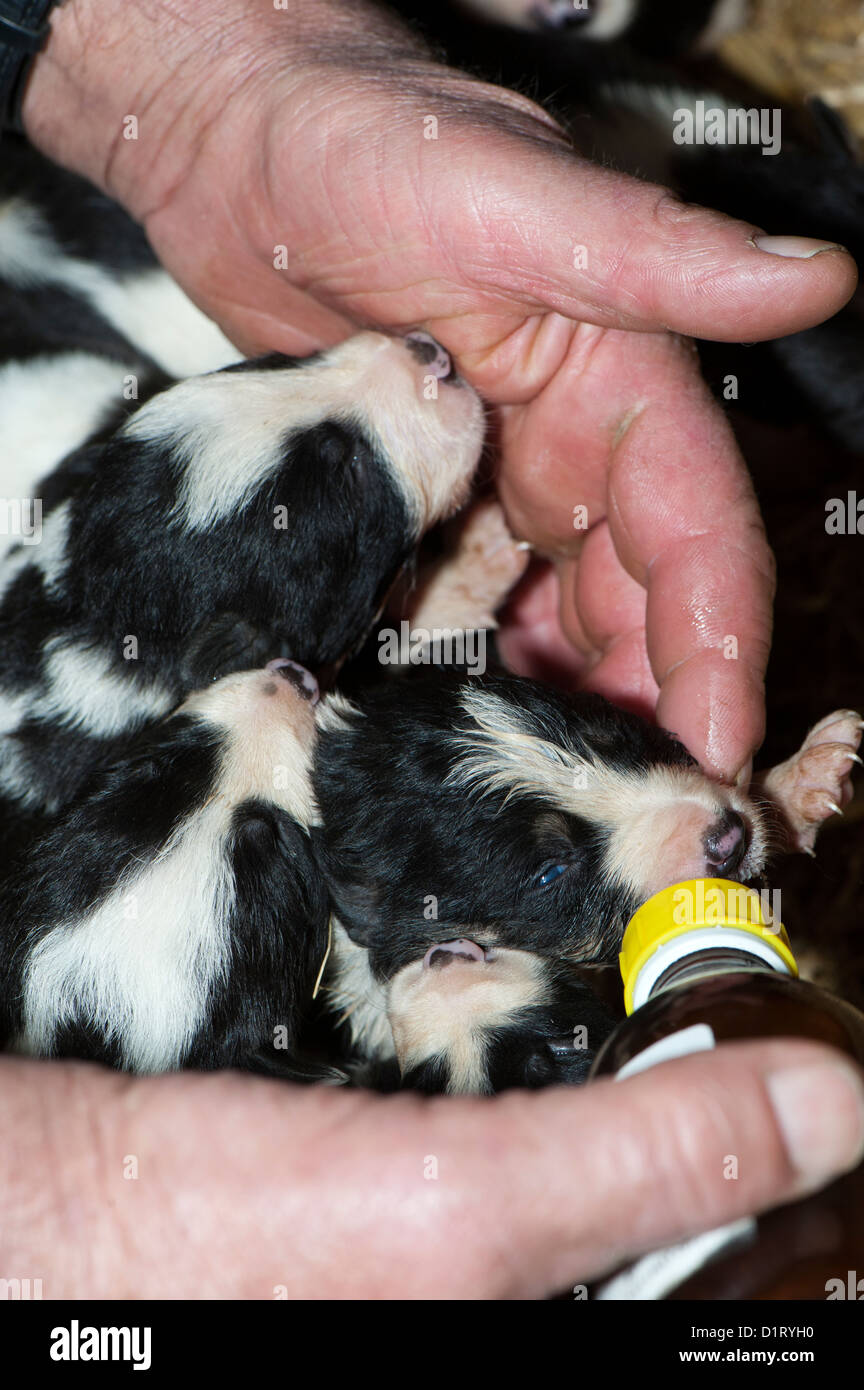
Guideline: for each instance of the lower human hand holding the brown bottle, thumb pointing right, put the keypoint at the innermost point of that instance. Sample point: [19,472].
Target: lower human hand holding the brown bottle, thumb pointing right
[229,1186]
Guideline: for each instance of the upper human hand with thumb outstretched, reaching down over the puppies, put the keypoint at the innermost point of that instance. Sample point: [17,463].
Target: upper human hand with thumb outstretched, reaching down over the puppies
[308,130]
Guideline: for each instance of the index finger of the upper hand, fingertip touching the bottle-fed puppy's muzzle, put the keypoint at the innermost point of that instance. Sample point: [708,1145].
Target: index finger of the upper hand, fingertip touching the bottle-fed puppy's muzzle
[686,525]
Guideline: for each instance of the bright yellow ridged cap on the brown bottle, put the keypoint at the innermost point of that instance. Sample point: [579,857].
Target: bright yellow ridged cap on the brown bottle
[701,906]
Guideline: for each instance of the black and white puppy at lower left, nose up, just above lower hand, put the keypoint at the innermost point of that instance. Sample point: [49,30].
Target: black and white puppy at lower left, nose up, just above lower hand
[174,917]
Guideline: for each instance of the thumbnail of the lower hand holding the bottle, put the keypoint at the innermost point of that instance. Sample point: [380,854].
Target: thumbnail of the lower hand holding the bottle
[820,1111]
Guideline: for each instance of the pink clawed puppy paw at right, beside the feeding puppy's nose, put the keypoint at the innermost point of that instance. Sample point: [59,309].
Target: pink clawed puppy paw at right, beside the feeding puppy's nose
[816,783]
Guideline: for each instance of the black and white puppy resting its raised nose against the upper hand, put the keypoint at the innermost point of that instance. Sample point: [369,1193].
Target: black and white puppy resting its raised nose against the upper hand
[258,511]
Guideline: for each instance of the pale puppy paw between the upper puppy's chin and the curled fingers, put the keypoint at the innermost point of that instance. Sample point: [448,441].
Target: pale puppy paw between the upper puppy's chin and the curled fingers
[470,583]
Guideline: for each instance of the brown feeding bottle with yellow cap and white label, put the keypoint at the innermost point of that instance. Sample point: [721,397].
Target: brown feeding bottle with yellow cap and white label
[704,963]
